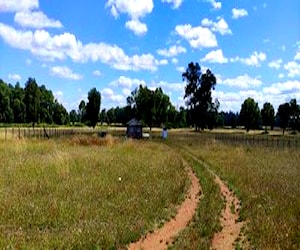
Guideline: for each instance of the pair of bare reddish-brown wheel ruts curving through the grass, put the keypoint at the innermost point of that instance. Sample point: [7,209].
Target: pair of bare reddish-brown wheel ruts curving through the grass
[223,240]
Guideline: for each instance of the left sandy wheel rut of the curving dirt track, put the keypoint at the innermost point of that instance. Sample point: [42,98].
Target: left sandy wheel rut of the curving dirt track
[162,237]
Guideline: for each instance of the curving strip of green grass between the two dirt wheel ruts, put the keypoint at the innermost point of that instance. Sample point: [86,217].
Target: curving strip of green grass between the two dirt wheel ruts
[207,219]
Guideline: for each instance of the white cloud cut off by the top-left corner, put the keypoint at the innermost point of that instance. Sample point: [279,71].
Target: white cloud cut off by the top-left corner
[18,5]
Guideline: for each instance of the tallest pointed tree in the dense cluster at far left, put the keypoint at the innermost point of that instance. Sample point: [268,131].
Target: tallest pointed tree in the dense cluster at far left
[32,101]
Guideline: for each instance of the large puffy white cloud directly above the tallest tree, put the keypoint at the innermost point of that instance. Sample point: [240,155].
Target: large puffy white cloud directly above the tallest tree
[198,37]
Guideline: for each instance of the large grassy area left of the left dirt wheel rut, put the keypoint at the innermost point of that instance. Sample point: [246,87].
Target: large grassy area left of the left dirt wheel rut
[61,194]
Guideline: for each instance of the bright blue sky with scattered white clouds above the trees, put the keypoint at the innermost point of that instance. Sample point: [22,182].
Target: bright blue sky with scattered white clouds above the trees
[252,46]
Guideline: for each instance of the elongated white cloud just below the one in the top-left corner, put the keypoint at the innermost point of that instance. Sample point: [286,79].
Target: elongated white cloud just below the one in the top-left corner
[36,19]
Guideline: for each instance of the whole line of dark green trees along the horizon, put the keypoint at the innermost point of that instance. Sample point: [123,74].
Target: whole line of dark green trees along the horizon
[36,104]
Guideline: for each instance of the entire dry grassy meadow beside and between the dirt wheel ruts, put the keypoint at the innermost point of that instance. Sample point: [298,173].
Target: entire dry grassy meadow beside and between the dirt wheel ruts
[89,192]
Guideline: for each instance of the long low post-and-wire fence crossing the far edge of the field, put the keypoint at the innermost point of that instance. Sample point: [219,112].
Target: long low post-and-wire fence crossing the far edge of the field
[227,138]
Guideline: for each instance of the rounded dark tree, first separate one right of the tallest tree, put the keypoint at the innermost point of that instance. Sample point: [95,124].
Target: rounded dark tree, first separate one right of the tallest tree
[250,114]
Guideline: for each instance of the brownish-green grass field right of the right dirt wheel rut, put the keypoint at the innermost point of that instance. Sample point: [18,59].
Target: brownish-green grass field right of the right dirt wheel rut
[265,179]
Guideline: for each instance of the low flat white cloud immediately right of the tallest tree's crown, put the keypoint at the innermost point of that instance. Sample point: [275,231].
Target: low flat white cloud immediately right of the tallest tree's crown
[243,81]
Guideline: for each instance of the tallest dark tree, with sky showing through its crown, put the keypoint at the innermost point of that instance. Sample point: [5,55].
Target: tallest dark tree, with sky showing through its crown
[198,92]
